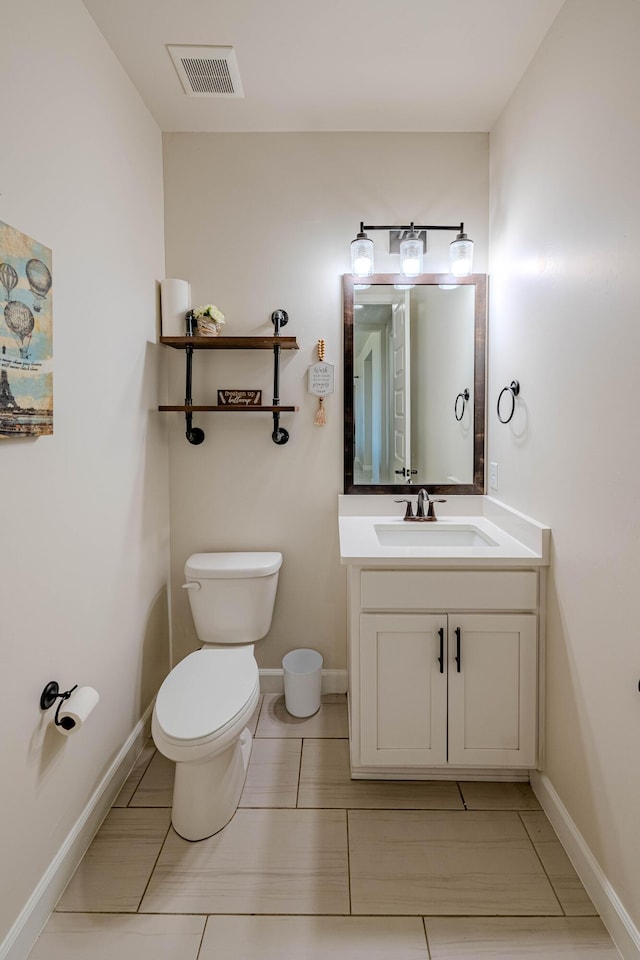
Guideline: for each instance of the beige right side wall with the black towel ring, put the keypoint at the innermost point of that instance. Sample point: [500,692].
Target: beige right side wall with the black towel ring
[565,207]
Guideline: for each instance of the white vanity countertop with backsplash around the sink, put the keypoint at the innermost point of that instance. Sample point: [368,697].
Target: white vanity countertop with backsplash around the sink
[517,541]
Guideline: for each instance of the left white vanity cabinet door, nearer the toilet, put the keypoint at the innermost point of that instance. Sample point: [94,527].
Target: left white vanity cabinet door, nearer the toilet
[403,689]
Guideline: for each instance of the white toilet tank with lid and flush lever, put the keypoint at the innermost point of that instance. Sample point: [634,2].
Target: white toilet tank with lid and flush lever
[232,595]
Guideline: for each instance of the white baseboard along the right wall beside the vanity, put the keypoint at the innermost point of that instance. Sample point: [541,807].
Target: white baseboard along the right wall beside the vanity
[615,917]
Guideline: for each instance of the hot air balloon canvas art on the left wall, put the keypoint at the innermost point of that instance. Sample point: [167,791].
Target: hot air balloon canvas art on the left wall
[26,362]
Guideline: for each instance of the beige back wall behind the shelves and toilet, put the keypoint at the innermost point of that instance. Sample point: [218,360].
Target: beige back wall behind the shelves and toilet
[260,221]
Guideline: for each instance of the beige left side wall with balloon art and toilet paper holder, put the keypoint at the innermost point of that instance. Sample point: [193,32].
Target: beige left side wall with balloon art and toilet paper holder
[84,512]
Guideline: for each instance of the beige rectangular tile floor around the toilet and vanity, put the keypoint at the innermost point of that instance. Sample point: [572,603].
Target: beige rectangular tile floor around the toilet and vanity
[315,866]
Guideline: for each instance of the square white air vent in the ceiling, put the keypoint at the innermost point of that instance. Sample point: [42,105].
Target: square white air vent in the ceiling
[207,71]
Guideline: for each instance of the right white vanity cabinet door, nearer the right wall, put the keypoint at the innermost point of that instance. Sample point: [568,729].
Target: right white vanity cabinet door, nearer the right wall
[492,682]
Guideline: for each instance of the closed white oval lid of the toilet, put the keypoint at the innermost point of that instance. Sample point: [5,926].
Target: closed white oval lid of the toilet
[206,691]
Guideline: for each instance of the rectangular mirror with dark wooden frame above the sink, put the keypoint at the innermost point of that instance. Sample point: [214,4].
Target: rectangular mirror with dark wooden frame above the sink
[414,398]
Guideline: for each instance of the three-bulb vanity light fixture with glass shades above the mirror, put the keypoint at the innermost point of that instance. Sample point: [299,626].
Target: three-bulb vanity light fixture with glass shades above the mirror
[411,250]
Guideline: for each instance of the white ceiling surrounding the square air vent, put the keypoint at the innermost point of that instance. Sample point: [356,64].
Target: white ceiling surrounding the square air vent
[375,65]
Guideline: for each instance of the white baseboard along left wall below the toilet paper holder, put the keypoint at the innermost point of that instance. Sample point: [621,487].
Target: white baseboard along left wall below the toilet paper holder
[25,931]
